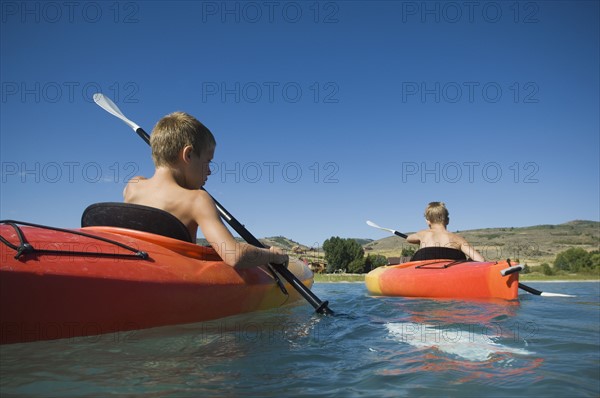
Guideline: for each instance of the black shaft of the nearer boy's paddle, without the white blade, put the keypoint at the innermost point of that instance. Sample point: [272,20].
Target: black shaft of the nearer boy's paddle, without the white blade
[320,307]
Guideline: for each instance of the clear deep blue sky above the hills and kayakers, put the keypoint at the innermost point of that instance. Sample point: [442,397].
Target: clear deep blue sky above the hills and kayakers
[326,114]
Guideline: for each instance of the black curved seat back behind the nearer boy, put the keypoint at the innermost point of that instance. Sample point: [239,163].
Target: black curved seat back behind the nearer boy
[137,217]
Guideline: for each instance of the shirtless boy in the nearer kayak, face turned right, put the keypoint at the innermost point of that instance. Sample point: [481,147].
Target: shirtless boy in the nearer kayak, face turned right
[182,149]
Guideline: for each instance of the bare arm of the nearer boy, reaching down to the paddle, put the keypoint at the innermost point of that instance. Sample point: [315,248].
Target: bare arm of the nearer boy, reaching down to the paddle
[234,253]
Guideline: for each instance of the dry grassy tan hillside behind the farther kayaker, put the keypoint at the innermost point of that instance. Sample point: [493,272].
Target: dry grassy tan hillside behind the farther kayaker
[532,245]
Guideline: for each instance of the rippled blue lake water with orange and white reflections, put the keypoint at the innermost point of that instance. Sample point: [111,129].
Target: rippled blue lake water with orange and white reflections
[376,347]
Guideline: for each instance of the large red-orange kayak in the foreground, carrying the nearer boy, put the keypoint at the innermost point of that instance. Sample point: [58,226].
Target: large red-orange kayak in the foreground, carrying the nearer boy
[61,284]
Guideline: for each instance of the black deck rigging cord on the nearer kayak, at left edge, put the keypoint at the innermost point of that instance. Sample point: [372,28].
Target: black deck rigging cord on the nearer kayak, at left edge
[25,247]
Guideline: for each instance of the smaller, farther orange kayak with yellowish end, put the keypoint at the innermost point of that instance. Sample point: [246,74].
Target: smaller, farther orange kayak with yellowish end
[444,279]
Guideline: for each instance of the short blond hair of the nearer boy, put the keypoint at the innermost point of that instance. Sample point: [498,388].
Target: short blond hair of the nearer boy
[174,132]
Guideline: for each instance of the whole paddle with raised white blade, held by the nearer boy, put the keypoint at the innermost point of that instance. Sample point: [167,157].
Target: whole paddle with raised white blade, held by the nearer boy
[321,307]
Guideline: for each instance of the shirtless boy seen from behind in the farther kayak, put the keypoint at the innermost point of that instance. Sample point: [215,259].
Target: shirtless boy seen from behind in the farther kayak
[437,217]
